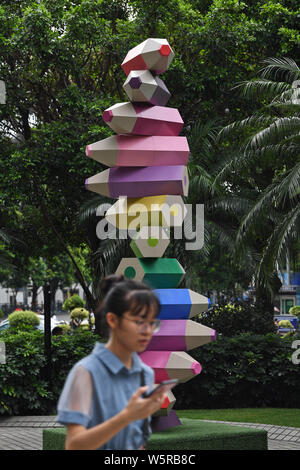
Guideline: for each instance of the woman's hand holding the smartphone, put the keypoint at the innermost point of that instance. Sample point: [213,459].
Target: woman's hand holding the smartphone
[140,408]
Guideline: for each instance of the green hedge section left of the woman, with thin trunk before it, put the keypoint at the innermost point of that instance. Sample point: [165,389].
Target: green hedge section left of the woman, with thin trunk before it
[24,391]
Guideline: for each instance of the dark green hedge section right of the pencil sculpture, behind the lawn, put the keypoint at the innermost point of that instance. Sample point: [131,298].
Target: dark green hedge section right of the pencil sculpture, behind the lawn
[243,371]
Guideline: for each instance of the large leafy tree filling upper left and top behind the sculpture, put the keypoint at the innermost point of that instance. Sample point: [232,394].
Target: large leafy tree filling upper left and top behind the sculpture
[61,65]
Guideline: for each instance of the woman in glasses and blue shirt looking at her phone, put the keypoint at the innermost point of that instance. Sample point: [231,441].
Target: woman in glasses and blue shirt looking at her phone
[102,401]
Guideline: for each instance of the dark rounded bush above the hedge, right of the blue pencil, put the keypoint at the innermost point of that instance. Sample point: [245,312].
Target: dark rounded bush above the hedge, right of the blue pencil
[237,318]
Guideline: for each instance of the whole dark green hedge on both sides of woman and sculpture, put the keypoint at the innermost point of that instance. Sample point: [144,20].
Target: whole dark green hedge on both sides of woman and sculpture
[245,371]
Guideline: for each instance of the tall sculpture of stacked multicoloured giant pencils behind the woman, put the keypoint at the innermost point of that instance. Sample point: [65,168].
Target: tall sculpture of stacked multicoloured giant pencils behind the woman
[148,176]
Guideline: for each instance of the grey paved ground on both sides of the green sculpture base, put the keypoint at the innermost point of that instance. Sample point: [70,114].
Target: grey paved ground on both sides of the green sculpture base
[26,433]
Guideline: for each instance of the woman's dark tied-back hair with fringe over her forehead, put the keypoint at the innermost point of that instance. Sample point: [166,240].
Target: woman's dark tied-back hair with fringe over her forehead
[121,295]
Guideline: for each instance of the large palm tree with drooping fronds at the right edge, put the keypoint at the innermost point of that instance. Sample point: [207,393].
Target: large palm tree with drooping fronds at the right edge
[268,143]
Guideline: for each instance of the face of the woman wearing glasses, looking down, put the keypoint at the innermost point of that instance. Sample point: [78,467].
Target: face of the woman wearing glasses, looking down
[133,332]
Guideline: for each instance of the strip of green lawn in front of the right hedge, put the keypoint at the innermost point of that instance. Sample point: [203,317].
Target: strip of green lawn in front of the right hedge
[277,416]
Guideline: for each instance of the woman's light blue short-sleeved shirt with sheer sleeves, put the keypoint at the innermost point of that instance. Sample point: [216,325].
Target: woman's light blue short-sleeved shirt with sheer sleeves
[97,388]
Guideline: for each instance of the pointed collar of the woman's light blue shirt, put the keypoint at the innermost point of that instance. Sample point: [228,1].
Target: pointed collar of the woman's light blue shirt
[113,363]
